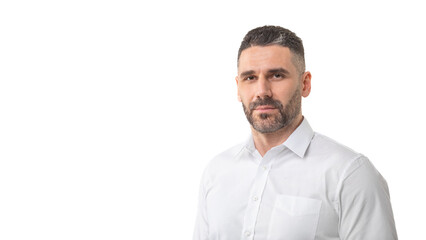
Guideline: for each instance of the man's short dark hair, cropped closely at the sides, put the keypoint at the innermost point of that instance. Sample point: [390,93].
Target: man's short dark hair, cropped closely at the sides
[275,35]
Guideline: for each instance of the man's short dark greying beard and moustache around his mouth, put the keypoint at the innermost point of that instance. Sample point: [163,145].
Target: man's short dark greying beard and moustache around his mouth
[268,123]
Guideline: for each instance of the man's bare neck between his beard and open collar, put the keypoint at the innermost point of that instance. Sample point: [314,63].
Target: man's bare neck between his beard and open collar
[265,141]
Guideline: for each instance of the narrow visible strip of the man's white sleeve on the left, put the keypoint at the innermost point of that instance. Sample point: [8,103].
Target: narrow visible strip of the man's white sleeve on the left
[201,223]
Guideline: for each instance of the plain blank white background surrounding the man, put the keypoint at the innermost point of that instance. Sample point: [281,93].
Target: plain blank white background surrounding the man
[110,110]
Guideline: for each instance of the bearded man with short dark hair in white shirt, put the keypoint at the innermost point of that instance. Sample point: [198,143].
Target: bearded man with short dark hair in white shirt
[286,181]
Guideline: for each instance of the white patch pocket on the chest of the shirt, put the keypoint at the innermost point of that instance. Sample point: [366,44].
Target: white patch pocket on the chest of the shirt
[294,218]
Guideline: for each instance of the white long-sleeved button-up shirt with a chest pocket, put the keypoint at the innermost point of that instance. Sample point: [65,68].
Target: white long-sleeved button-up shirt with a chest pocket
[308,188]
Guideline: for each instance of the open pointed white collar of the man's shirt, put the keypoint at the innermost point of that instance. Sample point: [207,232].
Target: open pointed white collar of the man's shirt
[298,142]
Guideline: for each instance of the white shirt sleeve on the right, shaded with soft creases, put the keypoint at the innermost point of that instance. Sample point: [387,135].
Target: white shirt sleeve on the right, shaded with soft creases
[364,202]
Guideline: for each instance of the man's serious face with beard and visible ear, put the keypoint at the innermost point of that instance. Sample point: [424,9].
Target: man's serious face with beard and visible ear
[270,87]
